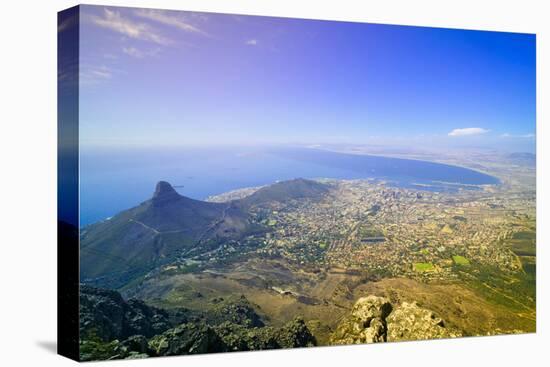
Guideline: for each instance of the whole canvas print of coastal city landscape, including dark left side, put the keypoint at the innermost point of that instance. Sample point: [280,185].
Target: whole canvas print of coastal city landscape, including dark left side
[238,183]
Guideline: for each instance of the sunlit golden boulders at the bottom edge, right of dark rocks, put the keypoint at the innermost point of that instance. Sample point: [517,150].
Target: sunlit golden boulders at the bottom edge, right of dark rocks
[374,320]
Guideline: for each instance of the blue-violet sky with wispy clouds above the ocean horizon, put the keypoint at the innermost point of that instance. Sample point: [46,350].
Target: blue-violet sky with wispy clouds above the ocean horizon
[173,78]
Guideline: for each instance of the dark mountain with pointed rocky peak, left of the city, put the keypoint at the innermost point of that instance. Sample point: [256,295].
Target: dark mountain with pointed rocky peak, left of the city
[117,250]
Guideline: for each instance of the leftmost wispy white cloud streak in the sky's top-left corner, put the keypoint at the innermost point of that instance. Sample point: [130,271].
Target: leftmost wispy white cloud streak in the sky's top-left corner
[114,21]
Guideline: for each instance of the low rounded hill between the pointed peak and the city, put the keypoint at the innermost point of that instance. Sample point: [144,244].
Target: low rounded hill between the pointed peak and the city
[286,190]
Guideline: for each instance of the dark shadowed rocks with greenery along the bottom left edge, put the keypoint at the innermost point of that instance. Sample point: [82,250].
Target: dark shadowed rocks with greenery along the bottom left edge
[113,328]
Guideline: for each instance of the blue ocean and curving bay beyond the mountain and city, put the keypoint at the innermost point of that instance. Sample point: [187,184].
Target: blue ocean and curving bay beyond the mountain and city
[113,180]
